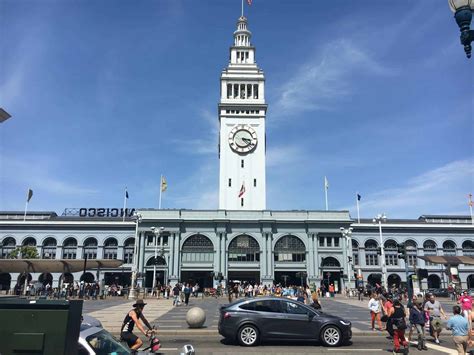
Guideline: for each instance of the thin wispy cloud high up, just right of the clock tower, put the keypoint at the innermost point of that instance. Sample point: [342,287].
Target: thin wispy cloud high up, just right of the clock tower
[325,78]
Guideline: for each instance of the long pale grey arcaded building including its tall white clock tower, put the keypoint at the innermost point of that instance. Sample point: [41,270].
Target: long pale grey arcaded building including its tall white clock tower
[241,240]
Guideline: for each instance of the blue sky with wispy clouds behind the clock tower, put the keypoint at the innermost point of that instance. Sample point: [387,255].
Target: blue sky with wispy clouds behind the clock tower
[376,95]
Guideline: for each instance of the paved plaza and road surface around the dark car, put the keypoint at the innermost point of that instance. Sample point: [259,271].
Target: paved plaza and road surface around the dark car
[174,331]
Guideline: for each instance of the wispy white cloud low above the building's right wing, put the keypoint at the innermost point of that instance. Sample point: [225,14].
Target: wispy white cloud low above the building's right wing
[442,190]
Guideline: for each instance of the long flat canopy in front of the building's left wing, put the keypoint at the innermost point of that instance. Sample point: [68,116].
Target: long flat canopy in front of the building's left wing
[56,265]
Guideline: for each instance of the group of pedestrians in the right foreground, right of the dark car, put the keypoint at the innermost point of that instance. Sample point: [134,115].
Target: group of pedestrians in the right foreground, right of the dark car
[425,314]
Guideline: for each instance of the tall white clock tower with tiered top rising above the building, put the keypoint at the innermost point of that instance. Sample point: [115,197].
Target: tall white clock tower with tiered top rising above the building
[242,112]
